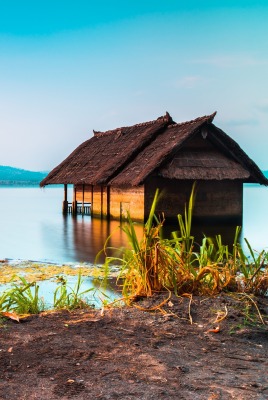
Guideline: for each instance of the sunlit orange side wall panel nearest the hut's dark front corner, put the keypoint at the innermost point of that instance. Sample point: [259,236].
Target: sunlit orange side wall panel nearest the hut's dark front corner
[123,200]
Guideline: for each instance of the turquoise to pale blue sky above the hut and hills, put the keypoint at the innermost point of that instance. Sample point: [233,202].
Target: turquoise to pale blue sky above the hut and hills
[68,67]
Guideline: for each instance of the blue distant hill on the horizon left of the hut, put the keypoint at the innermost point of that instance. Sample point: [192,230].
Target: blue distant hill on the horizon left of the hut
[16,176]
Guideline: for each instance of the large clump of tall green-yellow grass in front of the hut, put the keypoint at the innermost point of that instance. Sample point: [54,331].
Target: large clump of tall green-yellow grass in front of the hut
[154,264]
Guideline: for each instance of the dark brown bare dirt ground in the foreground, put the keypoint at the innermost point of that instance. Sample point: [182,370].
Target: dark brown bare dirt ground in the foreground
[199,348]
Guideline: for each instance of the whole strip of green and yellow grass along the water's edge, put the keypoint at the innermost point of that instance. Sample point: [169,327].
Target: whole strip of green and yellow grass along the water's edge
[154,265]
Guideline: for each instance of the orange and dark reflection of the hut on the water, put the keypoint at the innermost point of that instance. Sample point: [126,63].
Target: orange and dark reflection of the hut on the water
[85,237]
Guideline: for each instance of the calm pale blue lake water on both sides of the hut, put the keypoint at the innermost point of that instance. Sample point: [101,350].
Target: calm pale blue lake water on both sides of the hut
[33,227]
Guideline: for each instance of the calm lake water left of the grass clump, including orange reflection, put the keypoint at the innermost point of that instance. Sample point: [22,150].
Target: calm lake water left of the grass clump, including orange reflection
[33,228]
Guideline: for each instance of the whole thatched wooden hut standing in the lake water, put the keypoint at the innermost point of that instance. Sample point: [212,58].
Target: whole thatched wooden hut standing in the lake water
[118,171]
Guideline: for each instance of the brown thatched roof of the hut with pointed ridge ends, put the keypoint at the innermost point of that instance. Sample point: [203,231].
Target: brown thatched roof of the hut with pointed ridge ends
[127,156]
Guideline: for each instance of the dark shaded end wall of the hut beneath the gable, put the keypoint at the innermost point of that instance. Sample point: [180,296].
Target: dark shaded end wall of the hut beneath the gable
[215,200]
